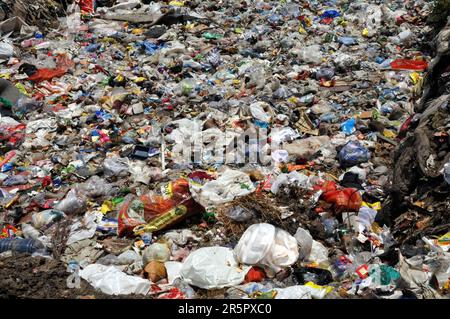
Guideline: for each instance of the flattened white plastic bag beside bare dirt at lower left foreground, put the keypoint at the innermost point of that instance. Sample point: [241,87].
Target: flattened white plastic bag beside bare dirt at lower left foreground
[112,281]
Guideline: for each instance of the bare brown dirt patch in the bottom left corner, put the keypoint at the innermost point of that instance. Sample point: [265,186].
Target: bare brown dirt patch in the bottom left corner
[37,277]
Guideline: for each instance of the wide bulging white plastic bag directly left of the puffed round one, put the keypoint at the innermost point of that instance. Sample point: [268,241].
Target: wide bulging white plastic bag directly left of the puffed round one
[213,268]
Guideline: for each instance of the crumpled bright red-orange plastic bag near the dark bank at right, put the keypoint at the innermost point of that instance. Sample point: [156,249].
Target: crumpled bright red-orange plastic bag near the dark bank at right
[347,199]
